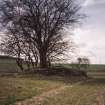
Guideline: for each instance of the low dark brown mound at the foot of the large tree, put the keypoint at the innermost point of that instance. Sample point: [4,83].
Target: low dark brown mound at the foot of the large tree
[61,71]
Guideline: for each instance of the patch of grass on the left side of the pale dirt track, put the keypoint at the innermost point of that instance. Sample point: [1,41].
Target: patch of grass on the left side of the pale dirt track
[19,88]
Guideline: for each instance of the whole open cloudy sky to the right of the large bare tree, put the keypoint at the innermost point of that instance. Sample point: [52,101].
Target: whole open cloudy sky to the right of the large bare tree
[90,36]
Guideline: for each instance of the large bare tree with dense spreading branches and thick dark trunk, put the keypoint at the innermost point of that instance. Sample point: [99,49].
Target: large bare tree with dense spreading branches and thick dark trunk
[36,25]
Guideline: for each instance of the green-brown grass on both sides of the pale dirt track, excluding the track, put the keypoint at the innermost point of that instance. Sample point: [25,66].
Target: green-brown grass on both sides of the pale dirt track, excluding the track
[22,87]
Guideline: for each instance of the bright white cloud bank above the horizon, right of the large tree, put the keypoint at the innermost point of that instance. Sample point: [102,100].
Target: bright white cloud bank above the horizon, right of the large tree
[91,44]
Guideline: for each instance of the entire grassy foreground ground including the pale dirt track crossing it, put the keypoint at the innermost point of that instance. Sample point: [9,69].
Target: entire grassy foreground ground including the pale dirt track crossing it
[41,90]
